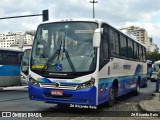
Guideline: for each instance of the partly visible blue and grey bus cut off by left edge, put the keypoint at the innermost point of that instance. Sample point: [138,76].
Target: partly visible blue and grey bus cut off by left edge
[9,67]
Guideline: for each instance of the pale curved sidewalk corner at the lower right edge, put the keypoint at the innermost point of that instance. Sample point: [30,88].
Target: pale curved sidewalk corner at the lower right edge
[152,105]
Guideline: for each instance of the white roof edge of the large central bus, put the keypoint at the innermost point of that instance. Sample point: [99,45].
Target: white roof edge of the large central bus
[100,21]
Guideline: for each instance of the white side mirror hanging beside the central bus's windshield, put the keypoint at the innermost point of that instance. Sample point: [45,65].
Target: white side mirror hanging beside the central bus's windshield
[97,37]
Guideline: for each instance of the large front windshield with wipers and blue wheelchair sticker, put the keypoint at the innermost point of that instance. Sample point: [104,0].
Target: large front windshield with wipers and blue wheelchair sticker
[64,47]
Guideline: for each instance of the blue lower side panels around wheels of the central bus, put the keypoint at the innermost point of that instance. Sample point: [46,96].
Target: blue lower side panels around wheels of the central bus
[125,85]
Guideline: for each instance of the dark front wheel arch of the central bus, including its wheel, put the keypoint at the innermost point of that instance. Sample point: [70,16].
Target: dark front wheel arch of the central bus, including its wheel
[113,93]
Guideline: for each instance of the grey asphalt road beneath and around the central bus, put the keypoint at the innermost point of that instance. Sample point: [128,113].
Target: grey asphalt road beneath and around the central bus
[16,99]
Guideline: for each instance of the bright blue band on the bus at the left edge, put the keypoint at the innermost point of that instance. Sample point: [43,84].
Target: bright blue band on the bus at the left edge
[9,70]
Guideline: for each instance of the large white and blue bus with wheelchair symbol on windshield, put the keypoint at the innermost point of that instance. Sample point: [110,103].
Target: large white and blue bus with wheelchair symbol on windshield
[85,62]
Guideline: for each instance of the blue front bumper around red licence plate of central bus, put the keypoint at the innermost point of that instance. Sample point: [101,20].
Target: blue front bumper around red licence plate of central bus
[86,96]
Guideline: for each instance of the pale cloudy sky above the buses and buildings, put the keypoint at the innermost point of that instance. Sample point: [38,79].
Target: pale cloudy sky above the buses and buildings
[118,13]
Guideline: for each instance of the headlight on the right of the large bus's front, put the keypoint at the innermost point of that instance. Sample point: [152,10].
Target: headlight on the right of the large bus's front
[87,84]
